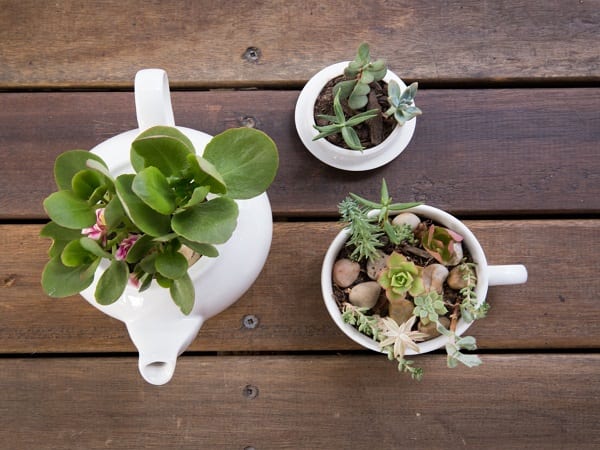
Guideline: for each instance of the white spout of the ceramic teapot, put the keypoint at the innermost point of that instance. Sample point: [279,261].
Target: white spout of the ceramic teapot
[159,344]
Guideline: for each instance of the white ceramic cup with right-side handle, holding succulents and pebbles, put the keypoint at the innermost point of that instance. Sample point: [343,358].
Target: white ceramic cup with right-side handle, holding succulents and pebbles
[487,275]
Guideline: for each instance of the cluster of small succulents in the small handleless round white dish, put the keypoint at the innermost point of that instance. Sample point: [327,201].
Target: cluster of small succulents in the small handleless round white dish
[355,92]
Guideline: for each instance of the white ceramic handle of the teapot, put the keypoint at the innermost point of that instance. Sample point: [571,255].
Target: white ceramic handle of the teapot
[153,99]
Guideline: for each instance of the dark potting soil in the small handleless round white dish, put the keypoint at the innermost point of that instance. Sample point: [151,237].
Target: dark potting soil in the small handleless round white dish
[372,132]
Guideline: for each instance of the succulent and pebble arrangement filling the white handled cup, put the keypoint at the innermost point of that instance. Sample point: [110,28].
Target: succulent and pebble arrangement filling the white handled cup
[427,280]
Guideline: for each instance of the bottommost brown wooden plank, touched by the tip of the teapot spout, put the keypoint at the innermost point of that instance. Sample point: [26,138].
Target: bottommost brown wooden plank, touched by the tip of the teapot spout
[302,402]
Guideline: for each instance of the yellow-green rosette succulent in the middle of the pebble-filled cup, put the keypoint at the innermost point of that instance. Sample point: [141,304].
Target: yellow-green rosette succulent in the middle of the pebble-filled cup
[400,277]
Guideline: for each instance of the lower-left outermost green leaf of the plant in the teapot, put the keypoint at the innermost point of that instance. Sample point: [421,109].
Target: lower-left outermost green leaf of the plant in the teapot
[59,280]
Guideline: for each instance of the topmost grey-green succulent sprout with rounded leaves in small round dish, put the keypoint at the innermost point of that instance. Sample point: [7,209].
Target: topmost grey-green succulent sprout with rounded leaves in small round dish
[359,74]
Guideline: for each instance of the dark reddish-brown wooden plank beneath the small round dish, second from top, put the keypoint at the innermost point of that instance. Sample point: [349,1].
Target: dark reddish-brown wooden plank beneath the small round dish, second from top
[475,152]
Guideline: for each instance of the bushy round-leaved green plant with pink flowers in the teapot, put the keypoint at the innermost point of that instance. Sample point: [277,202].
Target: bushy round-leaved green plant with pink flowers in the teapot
[152,224]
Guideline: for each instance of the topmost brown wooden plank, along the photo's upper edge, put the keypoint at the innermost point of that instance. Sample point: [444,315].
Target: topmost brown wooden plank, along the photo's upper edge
[96,44]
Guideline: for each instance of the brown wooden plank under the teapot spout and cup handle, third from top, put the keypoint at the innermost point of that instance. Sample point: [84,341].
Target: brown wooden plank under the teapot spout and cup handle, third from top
[557,308]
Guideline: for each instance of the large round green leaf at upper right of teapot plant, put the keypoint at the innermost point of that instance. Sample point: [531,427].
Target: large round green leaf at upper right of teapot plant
[246,158]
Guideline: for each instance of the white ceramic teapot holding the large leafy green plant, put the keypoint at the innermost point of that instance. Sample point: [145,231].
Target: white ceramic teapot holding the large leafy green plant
[155,324]
